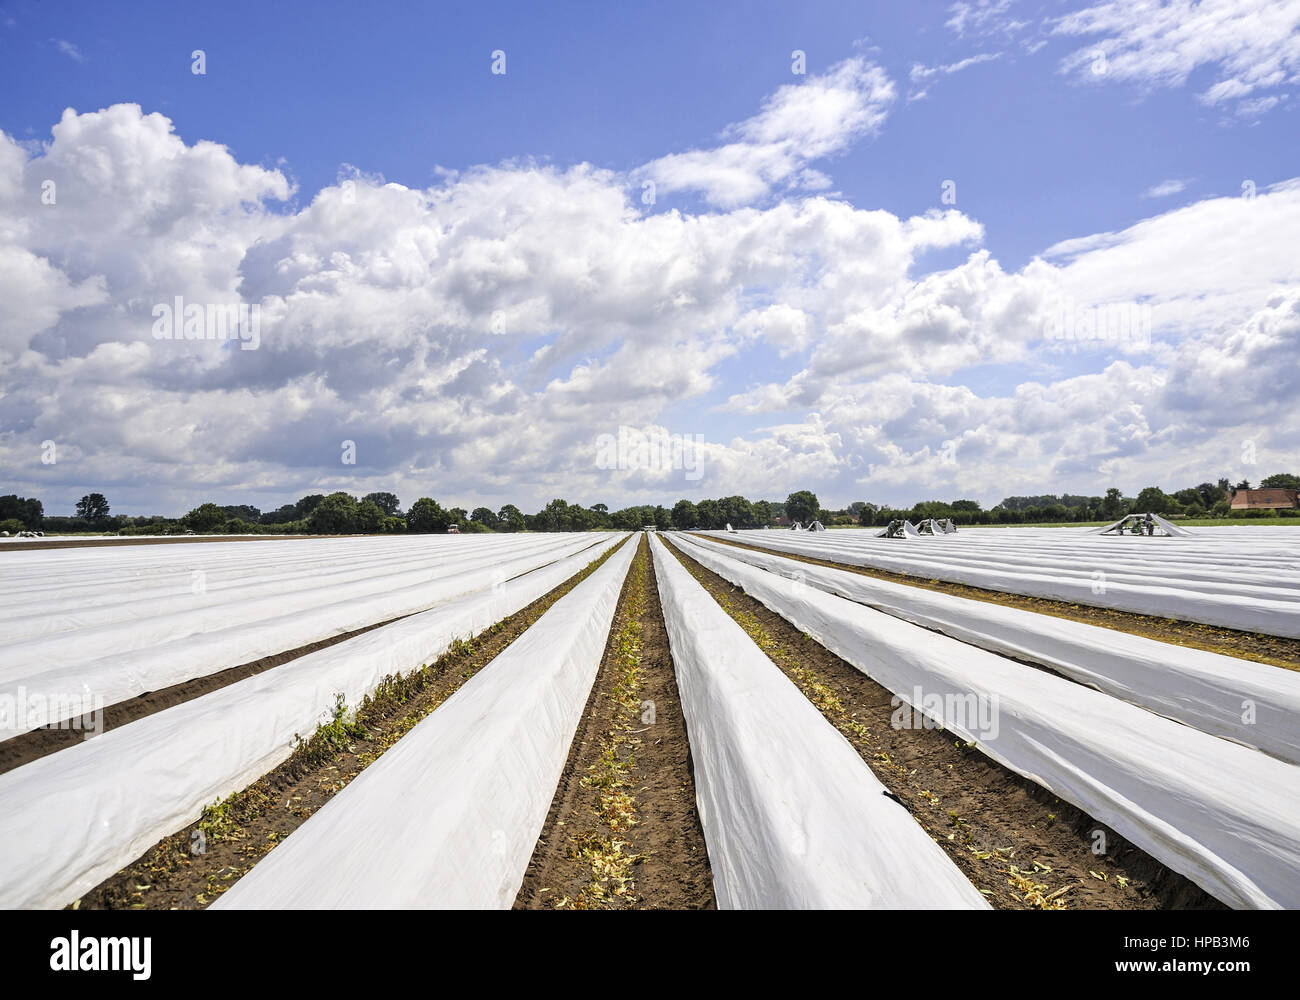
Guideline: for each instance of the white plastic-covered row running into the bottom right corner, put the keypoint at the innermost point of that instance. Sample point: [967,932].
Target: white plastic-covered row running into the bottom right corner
[1225,816]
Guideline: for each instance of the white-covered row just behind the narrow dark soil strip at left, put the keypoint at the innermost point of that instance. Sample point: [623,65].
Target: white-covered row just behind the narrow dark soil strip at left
[53,673]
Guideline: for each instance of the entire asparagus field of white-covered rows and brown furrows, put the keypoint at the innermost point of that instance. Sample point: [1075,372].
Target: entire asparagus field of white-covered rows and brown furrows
[987,720]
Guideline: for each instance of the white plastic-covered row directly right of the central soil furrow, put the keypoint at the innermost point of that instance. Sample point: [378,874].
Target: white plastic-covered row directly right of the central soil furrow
[792,816]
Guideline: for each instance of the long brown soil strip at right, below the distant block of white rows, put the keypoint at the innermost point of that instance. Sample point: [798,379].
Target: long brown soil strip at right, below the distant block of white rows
[1276,651]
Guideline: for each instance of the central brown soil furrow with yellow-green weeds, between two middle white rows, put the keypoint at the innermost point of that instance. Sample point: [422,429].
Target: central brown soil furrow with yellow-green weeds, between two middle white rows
[649,811]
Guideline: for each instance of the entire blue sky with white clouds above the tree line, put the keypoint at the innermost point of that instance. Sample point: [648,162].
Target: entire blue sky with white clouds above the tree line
[998,97]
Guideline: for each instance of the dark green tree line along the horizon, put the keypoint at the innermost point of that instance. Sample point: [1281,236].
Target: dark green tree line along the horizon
[382,514]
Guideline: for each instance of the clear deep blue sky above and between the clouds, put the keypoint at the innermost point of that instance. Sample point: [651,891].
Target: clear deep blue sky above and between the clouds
[401,90]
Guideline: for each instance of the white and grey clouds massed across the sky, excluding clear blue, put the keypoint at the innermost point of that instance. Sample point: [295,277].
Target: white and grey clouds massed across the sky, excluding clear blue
[475,339]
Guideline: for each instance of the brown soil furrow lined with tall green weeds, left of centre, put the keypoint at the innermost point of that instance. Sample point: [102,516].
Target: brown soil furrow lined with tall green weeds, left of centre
[241,830]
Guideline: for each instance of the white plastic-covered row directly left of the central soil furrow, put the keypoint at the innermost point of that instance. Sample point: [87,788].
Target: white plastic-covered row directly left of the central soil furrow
[449,817]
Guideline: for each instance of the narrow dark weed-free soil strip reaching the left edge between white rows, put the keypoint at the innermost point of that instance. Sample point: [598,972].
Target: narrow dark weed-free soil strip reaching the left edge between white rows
[40,743]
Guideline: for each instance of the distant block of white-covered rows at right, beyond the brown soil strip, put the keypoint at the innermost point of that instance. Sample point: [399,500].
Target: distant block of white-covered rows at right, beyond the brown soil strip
[1227,578]
